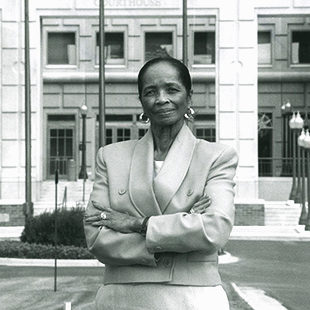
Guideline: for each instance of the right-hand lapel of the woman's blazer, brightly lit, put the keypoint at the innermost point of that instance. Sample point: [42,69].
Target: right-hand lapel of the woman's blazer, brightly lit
[175,167]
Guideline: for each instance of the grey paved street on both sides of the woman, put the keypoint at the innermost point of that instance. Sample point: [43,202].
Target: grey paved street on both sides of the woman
[280,268]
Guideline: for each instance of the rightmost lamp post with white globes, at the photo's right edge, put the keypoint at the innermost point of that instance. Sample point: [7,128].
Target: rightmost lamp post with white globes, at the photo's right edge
[303,215]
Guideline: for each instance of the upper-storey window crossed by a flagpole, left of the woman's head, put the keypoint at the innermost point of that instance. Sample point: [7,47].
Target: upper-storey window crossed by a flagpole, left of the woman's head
[113,48]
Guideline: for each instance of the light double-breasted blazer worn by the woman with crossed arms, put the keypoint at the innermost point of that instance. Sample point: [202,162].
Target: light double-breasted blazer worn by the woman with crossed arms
[186,244]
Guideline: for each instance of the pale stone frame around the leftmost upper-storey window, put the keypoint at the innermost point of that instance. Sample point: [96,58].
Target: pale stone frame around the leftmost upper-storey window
[58,29]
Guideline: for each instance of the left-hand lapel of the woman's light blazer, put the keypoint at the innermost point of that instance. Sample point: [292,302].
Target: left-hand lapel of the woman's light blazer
[141,177]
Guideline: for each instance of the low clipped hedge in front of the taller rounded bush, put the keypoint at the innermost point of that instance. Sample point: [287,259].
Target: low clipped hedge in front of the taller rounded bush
[19,249]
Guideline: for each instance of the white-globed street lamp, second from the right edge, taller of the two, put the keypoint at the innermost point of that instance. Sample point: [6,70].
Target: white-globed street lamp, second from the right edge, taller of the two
[296,124]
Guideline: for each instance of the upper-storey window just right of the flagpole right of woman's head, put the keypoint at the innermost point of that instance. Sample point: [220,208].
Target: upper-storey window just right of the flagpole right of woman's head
[204,47]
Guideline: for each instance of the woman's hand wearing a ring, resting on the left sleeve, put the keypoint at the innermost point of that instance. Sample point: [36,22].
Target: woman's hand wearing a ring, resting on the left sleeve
[115,220]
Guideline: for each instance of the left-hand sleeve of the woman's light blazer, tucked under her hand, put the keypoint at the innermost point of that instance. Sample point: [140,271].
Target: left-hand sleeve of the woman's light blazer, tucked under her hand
[109,246]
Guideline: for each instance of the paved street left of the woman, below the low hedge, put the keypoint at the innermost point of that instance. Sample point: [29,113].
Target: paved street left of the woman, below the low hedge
[32,288]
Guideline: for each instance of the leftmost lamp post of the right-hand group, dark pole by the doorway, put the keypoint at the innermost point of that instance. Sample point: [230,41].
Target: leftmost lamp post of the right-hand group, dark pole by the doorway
[286,110]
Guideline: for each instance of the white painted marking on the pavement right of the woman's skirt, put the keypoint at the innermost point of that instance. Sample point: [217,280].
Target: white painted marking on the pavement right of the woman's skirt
[257,298]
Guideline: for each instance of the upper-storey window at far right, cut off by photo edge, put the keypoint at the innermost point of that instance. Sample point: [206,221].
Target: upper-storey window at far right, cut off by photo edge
[300,47]
